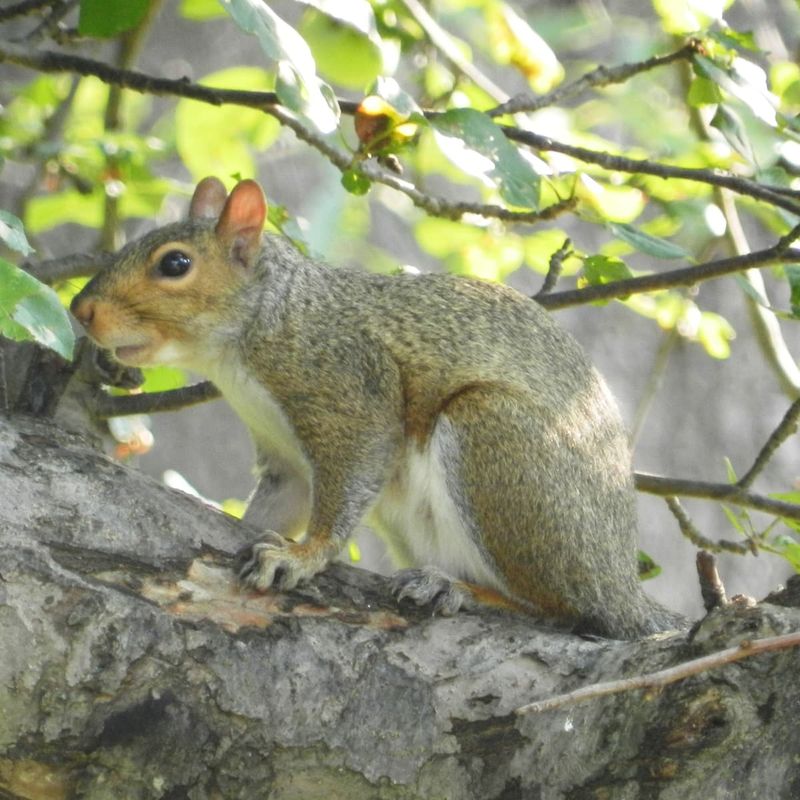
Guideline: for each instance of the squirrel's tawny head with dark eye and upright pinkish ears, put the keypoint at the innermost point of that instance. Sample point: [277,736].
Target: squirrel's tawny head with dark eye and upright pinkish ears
[167,294]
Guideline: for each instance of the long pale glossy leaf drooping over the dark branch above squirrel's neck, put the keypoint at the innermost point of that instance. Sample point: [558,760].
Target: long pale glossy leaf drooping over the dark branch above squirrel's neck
[298,86]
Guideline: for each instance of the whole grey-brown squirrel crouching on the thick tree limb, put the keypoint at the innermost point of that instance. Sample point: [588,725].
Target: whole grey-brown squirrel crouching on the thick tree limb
[454,415]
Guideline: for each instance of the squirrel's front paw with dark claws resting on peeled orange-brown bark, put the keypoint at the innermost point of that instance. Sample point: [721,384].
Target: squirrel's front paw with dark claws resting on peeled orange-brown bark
[279,563]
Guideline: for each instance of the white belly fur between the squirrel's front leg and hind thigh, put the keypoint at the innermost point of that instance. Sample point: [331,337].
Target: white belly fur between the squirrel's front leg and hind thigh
[417,507]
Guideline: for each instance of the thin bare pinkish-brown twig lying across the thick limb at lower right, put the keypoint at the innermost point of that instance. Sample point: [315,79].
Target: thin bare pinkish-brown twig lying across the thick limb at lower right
[661,678]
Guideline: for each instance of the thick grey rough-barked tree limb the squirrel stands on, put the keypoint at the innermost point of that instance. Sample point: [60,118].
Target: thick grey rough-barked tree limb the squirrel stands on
[132,666]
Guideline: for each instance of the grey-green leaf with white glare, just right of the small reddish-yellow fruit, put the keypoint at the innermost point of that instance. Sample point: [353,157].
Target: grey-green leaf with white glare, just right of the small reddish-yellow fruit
[472,141]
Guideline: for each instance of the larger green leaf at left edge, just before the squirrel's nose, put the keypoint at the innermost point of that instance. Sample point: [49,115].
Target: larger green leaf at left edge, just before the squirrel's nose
[31,311]
